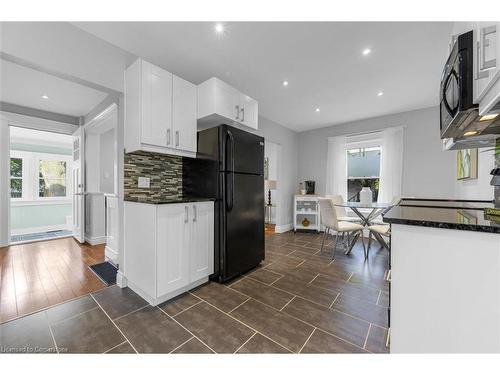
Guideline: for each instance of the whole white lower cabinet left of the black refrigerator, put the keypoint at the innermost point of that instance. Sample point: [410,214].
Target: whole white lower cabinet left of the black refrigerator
[169,248]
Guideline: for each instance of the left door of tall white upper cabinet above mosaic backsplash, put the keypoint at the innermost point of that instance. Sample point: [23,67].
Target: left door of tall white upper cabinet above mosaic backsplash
[156,105]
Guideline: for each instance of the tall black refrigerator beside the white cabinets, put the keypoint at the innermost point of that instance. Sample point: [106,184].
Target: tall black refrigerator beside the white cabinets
[230,168]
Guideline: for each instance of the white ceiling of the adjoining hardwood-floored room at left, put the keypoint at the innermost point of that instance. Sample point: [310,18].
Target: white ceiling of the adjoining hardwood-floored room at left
[25,86]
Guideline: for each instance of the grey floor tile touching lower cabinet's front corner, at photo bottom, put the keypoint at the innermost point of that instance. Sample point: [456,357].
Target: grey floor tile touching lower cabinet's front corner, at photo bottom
[149,330]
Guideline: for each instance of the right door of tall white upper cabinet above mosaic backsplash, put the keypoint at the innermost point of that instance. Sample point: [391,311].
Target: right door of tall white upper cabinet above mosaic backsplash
[184,114]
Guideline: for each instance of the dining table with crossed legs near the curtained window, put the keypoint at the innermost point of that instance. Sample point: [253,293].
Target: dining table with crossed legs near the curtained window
[367,213]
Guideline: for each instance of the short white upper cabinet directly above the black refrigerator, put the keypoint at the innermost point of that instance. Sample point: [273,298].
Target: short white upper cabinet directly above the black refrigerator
[219,102]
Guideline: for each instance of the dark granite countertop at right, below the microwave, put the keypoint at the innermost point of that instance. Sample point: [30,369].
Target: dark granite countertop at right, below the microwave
[464,217]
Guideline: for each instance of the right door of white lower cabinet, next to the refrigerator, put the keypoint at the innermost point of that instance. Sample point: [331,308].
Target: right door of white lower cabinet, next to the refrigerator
[202,241]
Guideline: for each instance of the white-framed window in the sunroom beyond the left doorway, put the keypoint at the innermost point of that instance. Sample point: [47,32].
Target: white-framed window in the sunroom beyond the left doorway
[39,176]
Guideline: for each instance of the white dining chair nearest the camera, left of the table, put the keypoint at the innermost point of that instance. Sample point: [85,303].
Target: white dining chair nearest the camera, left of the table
[330,221]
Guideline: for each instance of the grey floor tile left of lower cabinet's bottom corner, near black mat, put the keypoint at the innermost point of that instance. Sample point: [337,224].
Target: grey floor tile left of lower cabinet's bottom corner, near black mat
[118,301]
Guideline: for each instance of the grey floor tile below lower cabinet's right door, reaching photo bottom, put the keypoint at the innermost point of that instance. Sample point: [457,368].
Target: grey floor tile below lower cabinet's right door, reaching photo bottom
[219,331]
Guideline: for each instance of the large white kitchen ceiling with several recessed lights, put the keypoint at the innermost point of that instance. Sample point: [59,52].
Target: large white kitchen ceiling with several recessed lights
[322,62]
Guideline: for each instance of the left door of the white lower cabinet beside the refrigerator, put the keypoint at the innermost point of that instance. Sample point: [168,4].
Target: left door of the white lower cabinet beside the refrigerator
[172,259]
